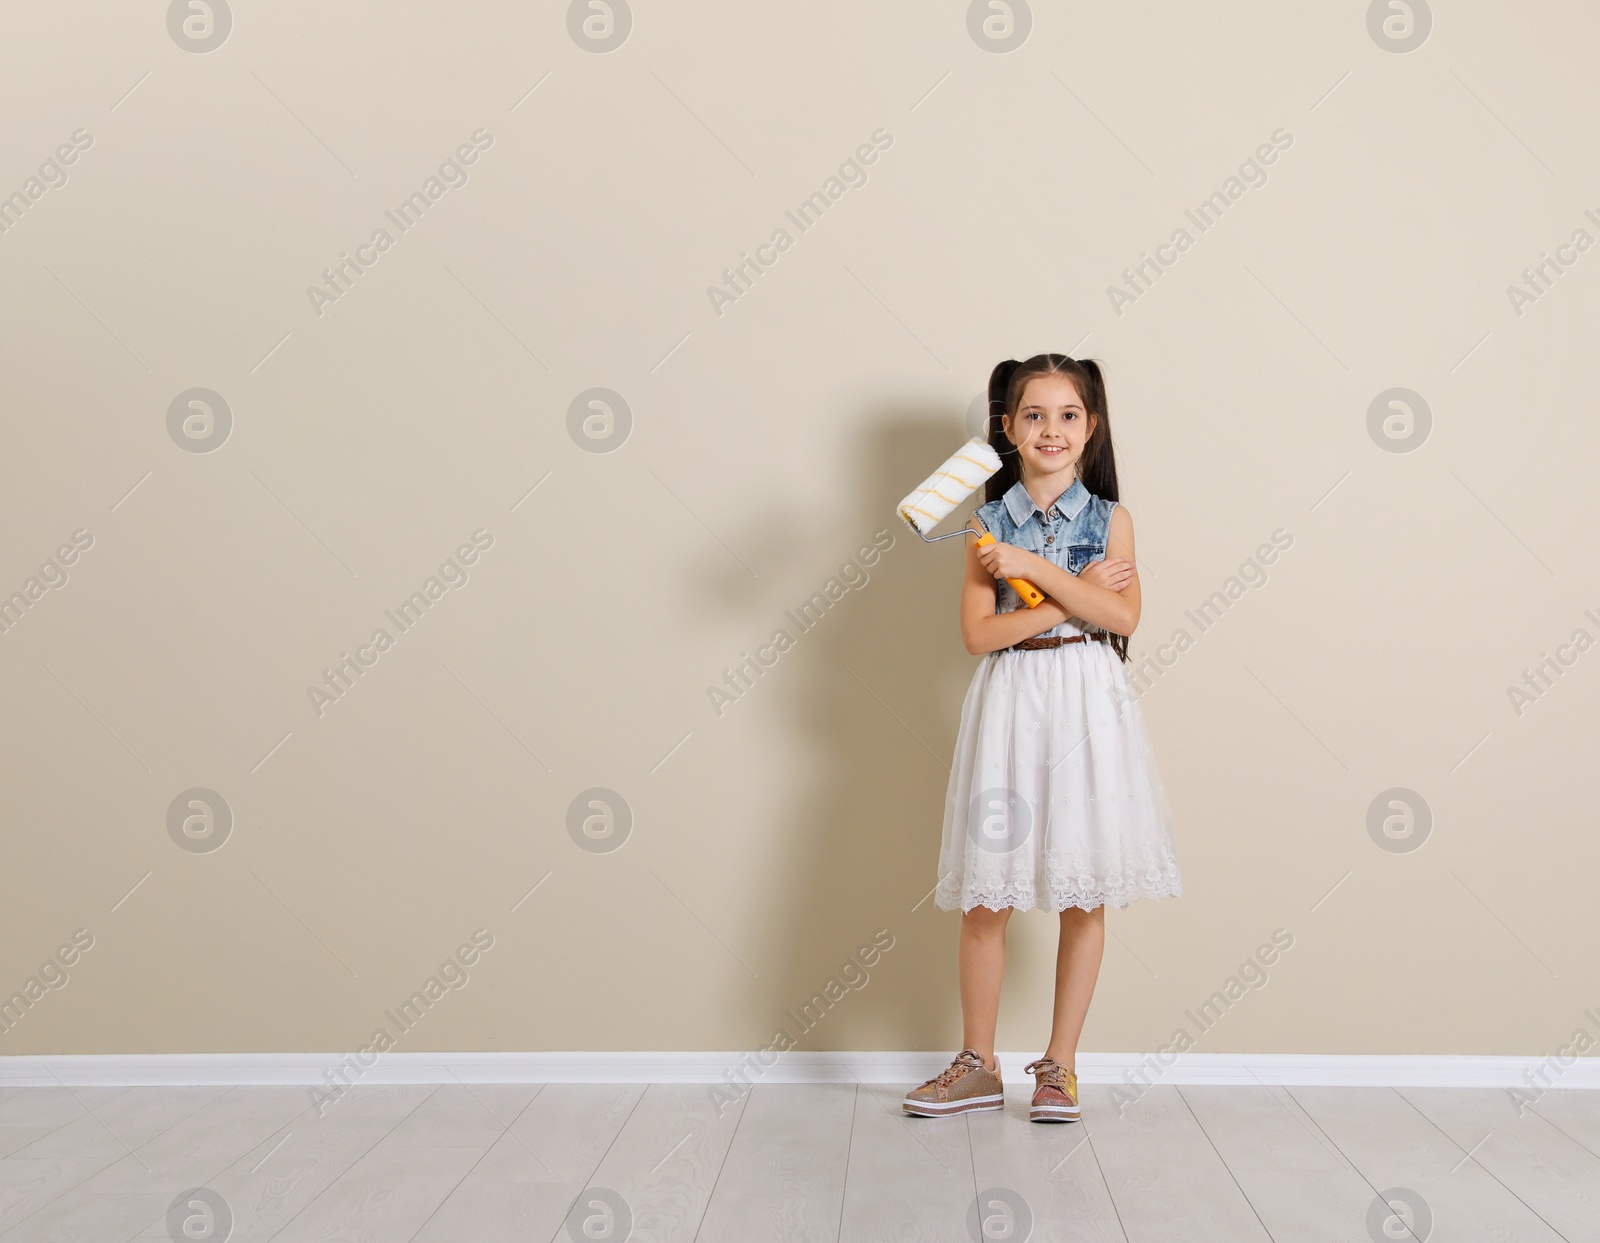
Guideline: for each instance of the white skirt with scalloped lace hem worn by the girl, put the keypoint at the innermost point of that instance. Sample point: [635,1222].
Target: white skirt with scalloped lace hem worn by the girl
[1055,799]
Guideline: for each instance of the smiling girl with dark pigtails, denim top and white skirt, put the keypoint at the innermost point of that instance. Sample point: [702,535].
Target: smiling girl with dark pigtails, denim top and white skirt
[1055,799]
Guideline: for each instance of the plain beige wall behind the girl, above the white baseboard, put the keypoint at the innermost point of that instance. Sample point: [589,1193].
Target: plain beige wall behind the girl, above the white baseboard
[769,446]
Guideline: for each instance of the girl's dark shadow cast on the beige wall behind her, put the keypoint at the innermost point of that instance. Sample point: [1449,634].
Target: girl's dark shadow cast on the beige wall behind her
[878,693]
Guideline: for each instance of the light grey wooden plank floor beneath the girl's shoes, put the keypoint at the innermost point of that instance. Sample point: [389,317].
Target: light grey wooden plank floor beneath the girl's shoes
[830,1162]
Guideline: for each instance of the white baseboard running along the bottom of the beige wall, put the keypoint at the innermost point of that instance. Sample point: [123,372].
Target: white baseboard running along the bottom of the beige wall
[1247,1069]
